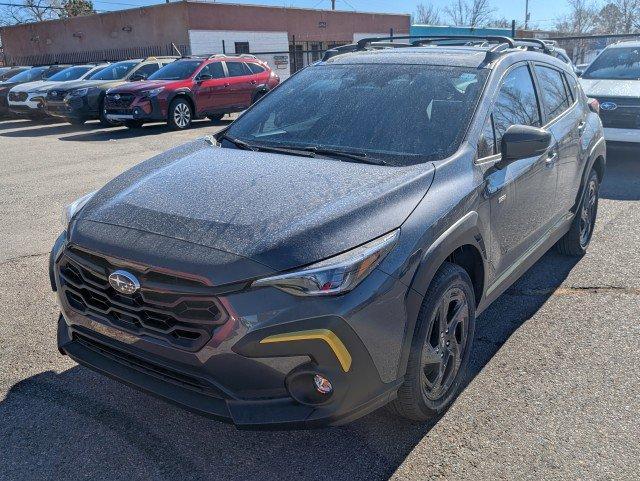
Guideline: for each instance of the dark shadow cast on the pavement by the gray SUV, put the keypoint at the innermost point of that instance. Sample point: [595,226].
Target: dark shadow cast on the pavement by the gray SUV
[78,424]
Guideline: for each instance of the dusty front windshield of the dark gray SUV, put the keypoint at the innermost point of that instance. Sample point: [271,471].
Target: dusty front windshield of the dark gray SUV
[401,114]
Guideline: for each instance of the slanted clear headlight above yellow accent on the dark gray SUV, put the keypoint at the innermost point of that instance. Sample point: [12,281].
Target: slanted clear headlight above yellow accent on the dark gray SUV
[336,275]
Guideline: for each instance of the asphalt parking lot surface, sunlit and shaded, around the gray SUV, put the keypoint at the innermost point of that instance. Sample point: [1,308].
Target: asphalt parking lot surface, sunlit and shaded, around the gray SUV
[554,391]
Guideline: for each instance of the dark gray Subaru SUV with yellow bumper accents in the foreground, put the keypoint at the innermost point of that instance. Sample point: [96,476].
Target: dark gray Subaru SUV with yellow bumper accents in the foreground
[328,252]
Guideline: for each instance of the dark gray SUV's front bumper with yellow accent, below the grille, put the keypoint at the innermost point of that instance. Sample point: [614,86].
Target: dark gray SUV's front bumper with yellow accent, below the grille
[237,376]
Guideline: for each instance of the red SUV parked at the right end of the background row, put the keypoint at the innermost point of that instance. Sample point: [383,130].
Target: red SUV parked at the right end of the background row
[191,88]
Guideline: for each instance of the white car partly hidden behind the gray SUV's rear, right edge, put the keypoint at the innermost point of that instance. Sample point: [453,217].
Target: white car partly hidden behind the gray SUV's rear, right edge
[613,78]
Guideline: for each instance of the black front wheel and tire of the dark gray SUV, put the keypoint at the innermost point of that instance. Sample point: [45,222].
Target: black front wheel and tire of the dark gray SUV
[439,355]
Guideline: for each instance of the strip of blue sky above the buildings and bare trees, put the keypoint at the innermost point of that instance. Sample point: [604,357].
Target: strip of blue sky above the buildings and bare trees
[543,12]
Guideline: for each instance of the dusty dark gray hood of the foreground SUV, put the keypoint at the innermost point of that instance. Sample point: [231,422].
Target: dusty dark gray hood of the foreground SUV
[279,211]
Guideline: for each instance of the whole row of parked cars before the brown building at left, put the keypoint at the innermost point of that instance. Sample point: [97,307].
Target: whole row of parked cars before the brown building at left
[132,92]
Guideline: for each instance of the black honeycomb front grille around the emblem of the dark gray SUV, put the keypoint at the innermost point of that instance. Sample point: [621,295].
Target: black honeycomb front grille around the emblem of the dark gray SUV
[174,309]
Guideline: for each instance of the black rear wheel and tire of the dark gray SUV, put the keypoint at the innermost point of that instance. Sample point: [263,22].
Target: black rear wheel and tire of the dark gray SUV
[575,242]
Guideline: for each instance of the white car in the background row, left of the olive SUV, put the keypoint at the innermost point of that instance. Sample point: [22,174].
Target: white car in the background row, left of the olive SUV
[26,98]
